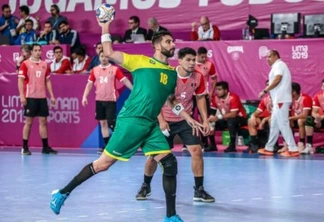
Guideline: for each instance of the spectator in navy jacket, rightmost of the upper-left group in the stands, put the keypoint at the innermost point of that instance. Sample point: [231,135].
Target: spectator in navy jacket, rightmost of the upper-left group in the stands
[68,36]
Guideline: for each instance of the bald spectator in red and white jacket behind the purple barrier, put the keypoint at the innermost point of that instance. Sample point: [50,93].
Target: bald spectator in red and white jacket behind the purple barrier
[206,30]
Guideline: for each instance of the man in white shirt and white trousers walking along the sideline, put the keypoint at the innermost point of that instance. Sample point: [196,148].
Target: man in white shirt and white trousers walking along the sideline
[280,93]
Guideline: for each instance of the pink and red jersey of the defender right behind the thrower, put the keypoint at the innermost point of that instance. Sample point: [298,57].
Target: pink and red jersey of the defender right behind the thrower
[185,89]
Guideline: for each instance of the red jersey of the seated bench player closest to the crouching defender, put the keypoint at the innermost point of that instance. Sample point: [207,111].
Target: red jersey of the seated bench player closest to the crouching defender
[231,103]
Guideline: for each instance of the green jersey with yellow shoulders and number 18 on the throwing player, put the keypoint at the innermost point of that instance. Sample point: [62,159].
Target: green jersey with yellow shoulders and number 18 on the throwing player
[153,82]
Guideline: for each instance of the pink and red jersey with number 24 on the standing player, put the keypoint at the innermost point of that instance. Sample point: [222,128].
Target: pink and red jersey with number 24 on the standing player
[104,79]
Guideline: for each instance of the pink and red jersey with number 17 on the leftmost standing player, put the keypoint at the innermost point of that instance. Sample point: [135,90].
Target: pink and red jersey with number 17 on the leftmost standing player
[35,75]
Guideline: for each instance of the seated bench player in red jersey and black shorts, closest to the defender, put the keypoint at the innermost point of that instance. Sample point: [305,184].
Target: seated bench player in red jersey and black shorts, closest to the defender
[231,113]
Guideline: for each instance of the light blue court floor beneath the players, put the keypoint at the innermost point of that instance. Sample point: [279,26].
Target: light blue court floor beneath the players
[246,187]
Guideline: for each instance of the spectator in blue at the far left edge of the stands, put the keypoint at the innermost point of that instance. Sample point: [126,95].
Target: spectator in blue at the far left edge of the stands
[8,24]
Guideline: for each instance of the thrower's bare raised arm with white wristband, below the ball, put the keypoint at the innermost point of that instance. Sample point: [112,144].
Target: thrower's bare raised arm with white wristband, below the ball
[116,56]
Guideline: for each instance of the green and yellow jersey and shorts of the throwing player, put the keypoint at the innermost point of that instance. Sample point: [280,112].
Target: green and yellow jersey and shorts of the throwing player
[137,126]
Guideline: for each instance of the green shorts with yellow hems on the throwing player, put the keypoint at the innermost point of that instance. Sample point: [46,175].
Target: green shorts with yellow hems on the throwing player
[131,134]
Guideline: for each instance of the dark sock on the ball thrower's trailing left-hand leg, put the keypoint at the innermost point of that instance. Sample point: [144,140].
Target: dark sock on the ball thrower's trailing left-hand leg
[84,174]
